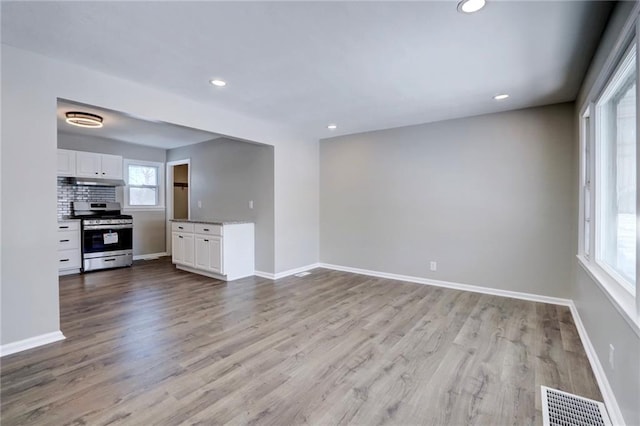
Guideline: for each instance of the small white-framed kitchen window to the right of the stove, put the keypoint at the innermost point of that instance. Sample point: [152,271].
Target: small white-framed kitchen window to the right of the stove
[145,189]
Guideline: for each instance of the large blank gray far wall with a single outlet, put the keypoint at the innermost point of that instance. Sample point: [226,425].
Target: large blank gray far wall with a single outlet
[489,198]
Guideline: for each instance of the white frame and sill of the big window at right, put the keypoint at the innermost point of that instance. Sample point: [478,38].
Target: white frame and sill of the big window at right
[626,301]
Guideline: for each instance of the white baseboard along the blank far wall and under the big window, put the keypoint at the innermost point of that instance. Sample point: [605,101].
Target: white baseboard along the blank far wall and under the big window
[607,393]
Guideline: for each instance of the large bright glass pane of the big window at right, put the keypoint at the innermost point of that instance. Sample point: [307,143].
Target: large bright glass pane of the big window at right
[617,206]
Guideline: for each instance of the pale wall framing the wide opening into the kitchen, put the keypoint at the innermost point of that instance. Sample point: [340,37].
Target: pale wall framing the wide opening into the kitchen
[31,84]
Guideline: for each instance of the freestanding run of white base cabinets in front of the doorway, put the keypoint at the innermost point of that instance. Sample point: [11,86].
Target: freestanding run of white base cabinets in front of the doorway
[220,251]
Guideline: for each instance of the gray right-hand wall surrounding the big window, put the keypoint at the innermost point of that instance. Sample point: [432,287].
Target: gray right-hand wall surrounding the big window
[602,321]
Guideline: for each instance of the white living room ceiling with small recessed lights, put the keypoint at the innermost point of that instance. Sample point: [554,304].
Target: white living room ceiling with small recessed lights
[362,65]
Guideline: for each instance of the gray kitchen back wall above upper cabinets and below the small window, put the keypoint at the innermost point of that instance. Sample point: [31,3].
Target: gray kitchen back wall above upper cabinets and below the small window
[148,226]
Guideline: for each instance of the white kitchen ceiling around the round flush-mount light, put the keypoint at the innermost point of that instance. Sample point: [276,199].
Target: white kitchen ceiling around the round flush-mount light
[126,128]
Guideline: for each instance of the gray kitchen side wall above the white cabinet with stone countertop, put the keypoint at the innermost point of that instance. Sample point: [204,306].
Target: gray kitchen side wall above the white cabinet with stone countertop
[225,175]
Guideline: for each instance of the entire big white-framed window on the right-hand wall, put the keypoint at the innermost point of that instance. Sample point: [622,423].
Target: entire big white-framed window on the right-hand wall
[609,191]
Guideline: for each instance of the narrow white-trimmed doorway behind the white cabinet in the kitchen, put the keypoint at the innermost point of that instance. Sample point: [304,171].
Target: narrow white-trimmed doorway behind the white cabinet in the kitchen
[178,193]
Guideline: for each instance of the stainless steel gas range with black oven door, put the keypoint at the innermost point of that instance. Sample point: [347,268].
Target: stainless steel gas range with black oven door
[107,235]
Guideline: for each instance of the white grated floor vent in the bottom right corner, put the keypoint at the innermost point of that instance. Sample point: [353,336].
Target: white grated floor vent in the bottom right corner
[565,409]
